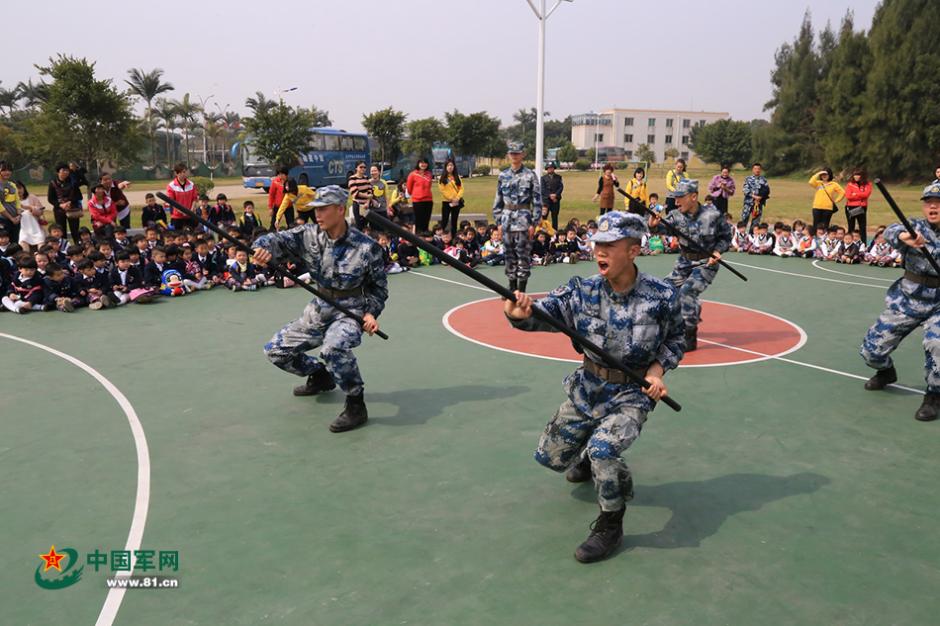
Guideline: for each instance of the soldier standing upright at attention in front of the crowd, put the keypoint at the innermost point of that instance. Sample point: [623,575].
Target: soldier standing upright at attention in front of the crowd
[516,210]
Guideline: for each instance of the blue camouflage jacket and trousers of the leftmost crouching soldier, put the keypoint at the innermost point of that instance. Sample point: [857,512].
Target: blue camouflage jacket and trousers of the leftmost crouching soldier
[351,262]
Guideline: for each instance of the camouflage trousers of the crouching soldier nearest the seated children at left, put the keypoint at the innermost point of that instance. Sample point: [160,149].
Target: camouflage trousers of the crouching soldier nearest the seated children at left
[321,326]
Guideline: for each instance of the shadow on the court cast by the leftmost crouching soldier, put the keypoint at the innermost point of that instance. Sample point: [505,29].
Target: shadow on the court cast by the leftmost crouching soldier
[417,406]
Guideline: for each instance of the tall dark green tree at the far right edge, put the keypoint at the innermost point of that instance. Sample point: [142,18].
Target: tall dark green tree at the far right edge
[901,113]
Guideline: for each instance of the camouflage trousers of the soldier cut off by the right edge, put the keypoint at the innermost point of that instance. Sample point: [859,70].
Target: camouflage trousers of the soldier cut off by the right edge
[907,306]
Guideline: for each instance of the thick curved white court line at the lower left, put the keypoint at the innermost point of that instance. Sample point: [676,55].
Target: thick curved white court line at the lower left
[142,501]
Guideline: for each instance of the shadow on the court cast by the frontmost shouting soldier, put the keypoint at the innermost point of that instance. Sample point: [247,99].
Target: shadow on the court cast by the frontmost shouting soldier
[699,508]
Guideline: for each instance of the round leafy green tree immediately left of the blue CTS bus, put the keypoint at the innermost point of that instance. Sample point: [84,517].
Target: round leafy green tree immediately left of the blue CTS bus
[280,133]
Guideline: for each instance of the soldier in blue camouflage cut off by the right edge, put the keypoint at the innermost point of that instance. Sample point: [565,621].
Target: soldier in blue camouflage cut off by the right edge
[913,300]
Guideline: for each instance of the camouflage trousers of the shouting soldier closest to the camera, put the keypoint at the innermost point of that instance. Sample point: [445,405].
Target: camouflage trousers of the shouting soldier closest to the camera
[604,439]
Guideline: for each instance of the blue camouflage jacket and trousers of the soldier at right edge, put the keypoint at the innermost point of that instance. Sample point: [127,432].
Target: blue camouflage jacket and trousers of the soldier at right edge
[907,306]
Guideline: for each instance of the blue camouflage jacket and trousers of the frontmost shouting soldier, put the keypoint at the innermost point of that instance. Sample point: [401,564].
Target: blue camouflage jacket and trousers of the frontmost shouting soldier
[599,418]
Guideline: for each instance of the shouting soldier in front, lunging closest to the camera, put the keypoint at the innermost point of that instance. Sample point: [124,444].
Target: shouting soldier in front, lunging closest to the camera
[635,317]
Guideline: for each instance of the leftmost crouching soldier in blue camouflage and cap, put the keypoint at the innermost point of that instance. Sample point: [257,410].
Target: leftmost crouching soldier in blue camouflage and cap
[346,265]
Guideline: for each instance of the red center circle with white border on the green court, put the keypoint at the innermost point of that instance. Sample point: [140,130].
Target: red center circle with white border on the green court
[727,335]
